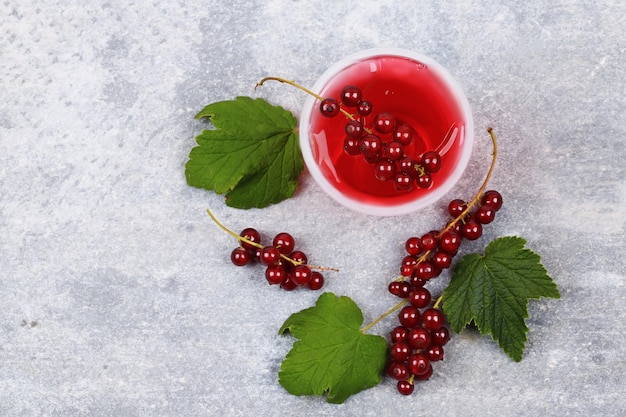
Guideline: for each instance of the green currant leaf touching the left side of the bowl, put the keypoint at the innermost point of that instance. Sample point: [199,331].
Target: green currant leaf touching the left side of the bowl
[252,155]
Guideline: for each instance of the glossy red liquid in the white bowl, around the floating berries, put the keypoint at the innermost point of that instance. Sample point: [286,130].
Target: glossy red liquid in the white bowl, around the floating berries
[412,93]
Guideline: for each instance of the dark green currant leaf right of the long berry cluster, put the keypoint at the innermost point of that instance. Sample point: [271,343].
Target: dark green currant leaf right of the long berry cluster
[493,291]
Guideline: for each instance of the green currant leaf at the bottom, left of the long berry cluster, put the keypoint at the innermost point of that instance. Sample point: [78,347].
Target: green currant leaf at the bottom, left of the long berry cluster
[332,355]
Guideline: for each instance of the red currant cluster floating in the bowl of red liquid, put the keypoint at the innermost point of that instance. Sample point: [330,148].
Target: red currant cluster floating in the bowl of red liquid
[382,142]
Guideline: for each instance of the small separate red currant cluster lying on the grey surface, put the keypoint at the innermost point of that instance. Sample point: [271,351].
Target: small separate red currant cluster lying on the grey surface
[286,266]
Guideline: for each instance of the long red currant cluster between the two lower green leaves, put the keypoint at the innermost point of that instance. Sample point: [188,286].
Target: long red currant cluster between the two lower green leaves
[420,338]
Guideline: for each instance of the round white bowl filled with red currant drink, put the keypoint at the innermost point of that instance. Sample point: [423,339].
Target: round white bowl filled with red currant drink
[419,99]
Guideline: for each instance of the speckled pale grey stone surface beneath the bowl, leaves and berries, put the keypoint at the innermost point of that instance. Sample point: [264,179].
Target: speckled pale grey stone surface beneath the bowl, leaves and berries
[116,293]
